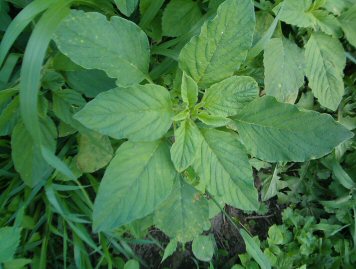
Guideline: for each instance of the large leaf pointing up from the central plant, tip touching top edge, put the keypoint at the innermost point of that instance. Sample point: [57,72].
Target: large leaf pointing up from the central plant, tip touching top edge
[222,44]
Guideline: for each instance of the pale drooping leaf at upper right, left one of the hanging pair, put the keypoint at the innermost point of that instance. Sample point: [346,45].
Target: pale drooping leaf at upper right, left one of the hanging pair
[284,69]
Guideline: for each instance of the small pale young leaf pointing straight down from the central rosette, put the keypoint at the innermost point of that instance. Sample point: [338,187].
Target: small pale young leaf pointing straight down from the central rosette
[187,142]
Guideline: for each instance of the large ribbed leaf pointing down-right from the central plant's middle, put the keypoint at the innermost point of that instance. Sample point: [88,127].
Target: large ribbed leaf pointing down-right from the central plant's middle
[222,164]
